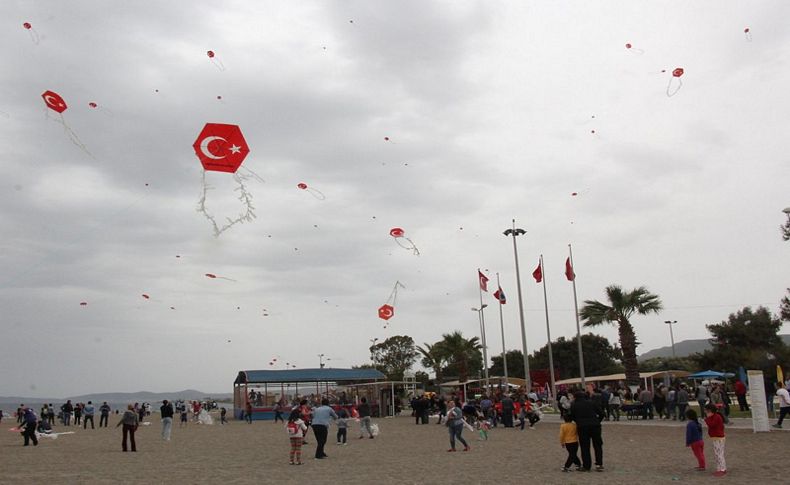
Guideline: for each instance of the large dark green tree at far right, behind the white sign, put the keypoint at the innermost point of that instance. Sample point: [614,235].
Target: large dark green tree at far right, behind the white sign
[747,338]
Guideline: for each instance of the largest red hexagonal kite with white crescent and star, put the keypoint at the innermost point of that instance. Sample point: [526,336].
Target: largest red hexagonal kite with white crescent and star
[221,148]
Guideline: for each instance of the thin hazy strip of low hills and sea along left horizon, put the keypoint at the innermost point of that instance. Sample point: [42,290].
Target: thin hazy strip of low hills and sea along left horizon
[116,399]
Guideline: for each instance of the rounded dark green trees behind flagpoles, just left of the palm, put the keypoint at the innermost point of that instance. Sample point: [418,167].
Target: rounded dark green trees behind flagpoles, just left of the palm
[600,357]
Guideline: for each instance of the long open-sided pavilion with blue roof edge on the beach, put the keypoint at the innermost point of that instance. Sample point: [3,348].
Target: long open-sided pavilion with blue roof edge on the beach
[263,389]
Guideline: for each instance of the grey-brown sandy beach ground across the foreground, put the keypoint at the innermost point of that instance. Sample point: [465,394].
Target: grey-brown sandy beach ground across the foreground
[635,453]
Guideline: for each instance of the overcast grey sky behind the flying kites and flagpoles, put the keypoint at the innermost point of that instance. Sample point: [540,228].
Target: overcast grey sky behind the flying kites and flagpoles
[494,110]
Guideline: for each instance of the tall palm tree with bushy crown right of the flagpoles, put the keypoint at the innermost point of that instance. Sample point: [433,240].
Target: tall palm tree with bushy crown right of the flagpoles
[622,306]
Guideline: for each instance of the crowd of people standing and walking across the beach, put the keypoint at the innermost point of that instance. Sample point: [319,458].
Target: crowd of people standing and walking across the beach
[582,413]
